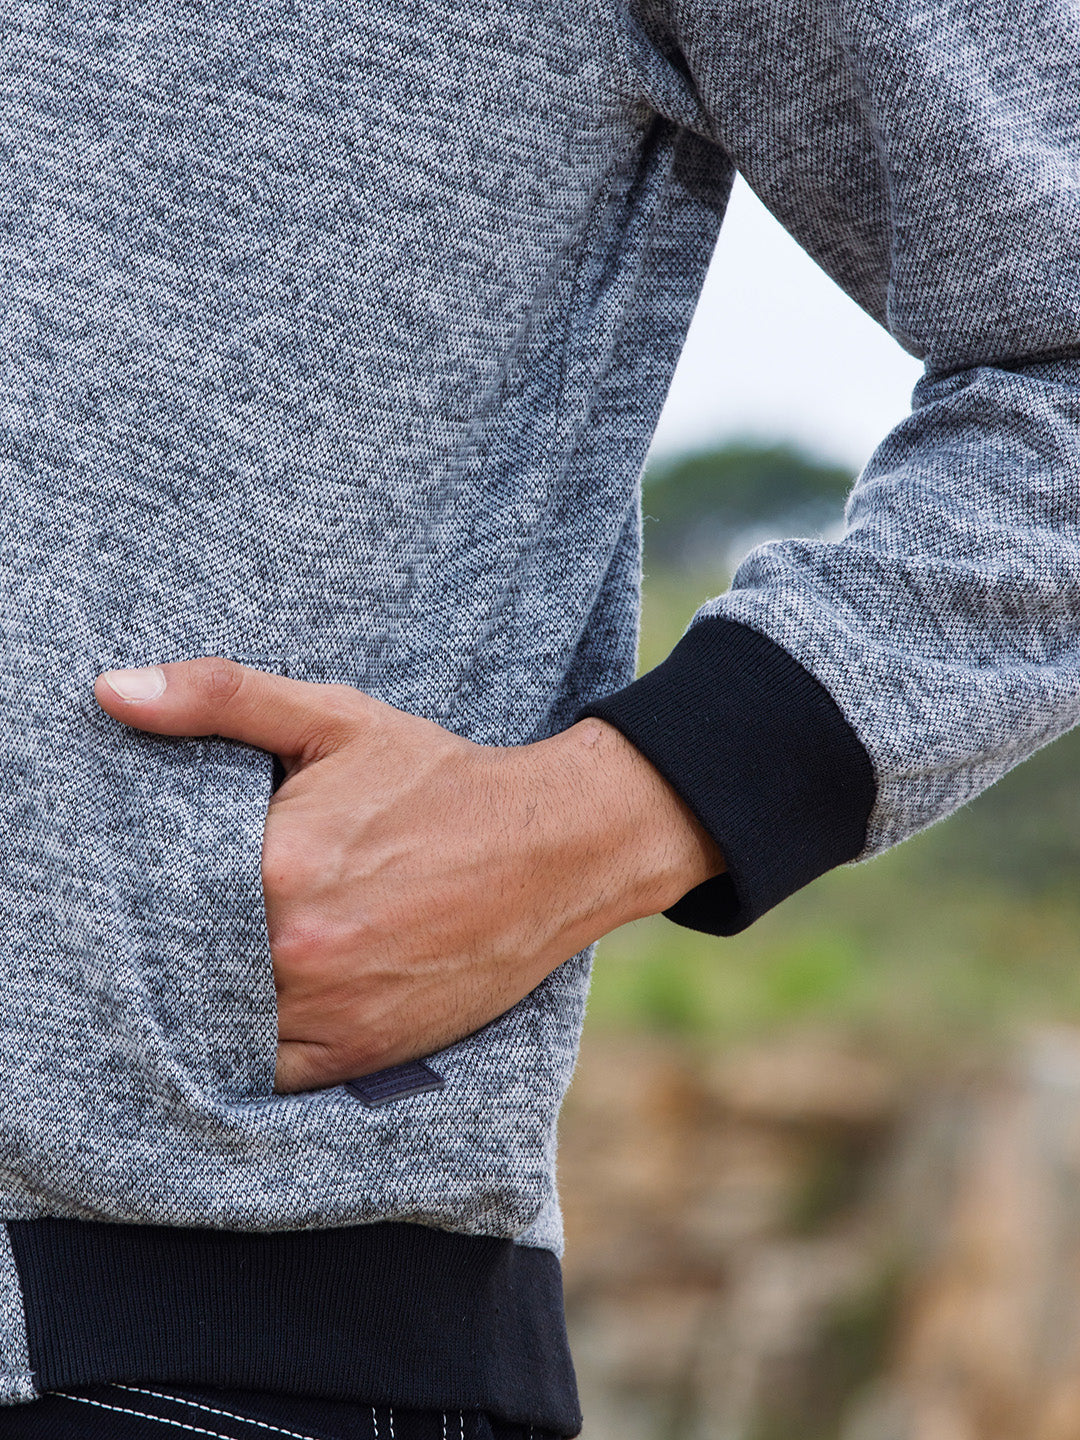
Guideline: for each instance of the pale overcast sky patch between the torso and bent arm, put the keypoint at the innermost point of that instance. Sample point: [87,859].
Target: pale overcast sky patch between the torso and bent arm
[778,352]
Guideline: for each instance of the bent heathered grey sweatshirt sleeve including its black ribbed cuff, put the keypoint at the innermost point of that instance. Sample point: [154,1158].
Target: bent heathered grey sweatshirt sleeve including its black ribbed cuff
[842,696]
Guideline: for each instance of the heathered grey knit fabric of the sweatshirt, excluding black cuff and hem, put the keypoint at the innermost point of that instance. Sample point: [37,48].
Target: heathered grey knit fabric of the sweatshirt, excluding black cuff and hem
[332,339]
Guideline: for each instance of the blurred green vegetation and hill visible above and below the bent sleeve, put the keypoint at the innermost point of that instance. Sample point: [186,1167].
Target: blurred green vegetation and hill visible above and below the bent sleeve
[955,938]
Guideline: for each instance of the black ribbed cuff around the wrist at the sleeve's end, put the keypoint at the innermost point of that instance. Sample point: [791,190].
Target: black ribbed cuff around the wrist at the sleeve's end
[761,754]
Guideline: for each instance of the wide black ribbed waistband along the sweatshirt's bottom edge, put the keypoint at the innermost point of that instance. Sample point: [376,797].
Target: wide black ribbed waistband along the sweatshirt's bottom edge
[390,1314]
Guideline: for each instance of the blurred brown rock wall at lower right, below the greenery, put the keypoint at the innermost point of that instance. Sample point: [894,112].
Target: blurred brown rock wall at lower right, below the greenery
[800,1241]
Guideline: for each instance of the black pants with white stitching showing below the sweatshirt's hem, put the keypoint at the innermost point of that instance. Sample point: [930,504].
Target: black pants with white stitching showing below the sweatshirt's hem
[166,1413]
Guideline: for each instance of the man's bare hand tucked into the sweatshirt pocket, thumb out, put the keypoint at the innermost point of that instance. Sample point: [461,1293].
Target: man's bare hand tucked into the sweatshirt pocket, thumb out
[418,885]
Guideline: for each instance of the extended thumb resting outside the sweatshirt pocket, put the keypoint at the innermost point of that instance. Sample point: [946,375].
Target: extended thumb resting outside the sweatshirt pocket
[214,696]
